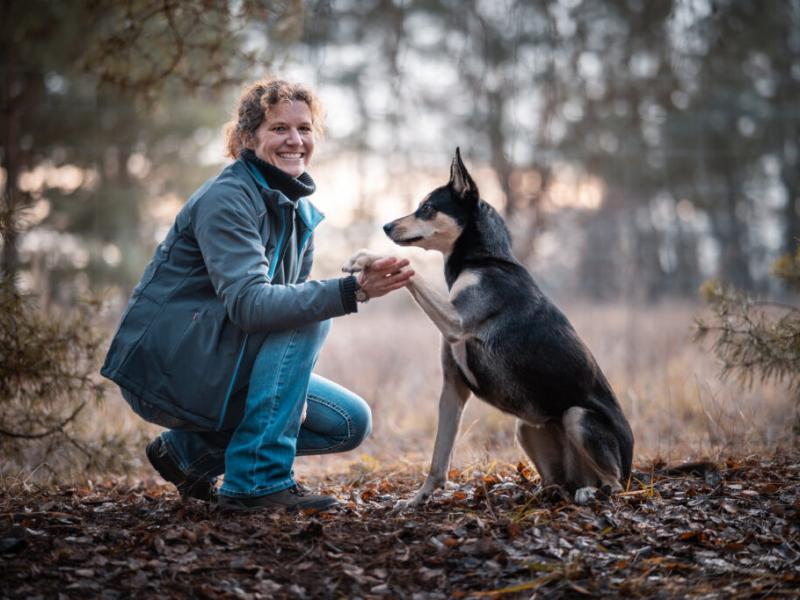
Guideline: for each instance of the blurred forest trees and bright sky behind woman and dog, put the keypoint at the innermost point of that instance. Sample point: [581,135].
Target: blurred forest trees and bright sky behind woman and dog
[635,147]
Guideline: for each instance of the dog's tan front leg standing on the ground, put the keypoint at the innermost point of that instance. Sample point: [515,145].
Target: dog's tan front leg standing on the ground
[455,394]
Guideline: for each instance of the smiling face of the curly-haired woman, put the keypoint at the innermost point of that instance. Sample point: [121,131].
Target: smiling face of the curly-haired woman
[285,138]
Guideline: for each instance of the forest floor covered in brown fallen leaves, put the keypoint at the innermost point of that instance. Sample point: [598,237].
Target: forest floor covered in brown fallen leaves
[733,531]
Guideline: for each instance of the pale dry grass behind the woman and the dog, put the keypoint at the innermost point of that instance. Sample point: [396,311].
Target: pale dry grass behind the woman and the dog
[668,386]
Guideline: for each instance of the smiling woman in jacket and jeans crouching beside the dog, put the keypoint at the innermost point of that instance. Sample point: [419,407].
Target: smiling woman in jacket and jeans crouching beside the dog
[222,332]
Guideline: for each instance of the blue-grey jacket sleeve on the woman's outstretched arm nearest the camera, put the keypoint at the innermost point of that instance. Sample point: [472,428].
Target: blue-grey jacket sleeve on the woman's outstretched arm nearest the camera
[226,229]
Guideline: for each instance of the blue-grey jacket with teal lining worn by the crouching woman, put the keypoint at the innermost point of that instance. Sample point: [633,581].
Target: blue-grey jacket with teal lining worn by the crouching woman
[232,268]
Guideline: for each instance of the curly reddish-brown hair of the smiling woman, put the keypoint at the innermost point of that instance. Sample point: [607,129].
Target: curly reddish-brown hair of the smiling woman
[254,104]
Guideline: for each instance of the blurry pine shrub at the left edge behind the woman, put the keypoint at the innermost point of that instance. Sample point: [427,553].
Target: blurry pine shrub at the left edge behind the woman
[50,392]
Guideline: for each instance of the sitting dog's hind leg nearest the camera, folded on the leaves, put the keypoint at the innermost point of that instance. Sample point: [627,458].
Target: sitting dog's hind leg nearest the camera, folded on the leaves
[595,459]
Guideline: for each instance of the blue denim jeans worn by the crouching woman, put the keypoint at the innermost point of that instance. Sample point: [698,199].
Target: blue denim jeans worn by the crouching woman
[257,456]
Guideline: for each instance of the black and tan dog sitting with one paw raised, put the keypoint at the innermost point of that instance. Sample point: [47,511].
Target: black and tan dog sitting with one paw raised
[505,342]
